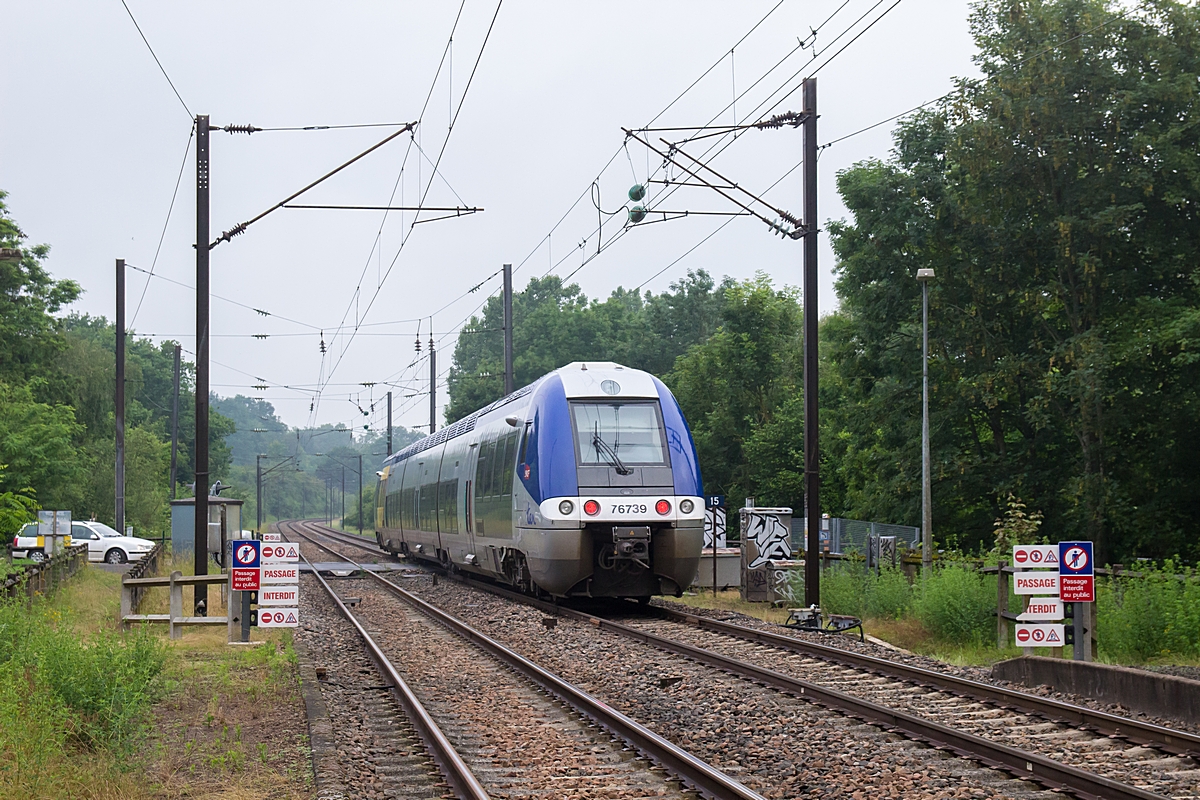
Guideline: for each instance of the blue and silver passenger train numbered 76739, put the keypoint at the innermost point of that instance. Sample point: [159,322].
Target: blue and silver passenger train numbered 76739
[583,484]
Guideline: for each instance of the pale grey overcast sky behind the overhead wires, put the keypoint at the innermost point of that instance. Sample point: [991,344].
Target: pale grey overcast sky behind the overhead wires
[93,139]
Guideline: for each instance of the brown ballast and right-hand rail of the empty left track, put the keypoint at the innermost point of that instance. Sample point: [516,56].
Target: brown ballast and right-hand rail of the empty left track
[550,738]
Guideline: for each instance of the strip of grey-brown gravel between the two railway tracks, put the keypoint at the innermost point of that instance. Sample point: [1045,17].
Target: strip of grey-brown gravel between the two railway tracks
[778,745]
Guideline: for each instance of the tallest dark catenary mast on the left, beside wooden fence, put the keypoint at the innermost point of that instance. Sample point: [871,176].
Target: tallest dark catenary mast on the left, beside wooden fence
[202,362]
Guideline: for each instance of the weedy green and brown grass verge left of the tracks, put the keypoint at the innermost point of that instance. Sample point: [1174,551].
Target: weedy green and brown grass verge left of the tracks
[91,712]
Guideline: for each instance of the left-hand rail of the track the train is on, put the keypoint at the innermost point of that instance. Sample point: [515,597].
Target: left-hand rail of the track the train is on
[1018,763]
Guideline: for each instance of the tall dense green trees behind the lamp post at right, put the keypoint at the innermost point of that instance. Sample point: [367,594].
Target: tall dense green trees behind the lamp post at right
[1058,202]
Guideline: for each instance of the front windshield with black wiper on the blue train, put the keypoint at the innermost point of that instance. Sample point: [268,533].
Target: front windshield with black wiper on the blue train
[619,434]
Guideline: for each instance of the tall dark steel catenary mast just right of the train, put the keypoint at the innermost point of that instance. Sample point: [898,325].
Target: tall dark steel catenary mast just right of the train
[812,449]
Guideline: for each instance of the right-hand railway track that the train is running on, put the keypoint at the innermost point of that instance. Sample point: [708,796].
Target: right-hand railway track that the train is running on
[1060,747]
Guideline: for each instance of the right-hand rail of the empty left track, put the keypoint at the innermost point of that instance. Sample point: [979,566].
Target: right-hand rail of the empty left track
[693,772]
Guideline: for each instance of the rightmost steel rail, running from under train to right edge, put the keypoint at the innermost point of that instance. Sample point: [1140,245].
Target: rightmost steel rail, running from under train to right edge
[1179,743]
